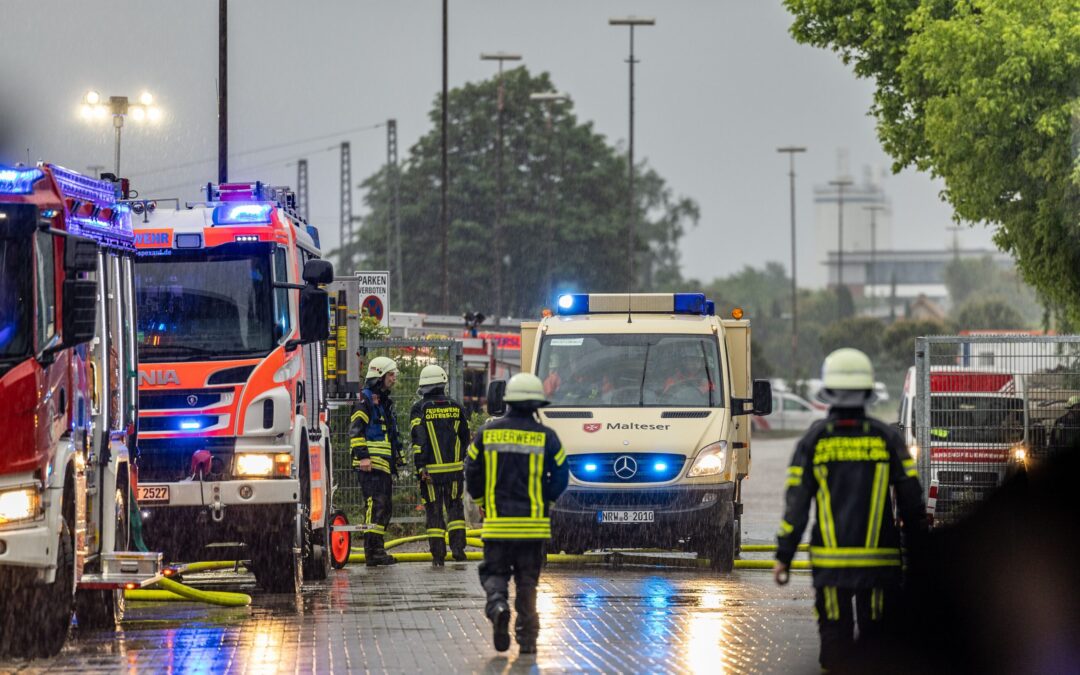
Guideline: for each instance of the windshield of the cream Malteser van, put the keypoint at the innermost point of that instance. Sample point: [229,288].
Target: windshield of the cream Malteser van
[631,370]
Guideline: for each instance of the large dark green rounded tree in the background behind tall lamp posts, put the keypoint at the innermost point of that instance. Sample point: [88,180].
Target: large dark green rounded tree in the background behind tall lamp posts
[589,180]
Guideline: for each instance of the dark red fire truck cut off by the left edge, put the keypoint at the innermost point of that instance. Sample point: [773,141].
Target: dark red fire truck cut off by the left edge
[67,408]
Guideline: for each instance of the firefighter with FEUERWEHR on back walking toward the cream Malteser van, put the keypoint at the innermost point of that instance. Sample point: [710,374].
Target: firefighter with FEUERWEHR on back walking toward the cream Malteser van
[517,468]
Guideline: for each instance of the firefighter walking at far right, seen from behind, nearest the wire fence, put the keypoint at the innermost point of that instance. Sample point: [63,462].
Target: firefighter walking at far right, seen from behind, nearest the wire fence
[848,463]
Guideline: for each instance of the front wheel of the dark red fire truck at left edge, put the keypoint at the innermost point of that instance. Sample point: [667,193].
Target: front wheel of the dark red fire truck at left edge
[42,615]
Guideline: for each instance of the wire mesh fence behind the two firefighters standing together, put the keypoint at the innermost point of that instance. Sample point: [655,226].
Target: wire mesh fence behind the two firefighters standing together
[412,357]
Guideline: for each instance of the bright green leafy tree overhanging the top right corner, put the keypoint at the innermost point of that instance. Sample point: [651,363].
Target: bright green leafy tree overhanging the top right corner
[984,94]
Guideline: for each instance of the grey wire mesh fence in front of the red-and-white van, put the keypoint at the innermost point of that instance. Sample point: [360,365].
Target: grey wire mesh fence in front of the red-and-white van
[987,408]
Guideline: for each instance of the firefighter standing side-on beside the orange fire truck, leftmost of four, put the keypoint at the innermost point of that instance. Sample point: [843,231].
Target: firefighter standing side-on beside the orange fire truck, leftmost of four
[376,454]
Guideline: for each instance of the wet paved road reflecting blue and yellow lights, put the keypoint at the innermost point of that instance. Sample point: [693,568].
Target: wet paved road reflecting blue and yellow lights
[411,618]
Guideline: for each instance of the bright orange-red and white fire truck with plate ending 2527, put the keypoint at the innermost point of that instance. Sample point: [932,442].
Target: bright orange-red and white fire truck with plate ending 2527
[233,429]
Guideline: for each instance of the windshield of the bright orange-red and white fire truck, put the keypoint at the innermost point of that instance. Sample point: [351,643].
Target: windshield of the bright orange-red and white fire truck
[206,305]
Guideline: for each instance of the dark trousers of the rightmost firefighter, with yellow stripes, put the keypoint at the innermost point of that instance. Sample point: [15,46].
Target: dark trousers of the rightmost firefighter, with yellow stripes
[836,620]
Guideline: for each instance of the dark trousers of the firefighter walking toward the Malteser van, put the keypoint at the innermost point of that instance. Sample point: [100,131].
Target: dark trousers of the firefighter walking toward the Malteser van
[522,560]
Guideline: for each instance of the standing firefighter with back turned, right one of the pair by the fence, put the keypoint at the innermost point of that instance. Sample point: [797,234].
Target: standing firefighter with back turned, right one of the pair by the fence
[440,433]
